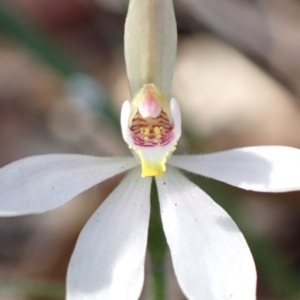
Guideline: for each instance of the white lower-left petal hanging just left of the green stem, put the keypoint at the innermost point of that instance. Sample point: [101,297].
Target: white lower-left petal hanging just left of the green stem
[108,261]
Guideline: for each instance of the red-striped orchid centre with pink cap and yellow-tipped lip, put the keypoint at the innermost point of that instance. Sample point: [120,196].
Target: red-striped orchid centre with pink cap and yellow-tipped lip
[151,126]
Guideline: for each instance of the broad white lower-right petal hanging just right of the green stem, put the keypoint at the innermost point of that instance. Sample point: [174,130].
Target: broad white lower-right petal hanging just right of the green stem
[210,255]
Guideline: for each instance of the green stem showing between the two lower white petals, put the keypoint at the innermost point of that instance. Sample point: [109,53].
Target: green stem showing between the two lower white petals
[157,246]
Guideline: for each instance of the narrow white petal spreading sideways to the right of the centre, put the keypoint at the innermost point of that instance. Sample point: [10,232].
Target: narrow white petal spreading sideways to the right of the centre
[264,168]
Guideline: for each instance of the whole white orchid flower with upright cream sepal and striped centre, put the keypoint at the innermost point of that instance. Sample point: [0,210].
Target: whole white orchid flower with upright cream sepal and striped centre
[210,256]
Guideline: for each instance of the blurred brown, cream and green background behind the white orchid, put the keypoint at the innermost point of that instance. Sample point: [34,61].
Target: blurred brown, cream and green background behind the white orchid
[63,80]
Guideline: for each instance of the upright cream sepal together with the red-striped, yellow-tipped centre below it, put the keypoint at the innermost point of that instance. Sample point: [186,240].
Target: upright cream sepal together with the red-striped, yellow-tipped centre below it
[151,122]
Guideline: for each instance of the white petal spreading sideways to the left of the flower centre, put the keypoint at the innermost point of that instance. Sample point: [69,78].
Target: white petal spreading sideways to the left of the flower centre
[40,183]
